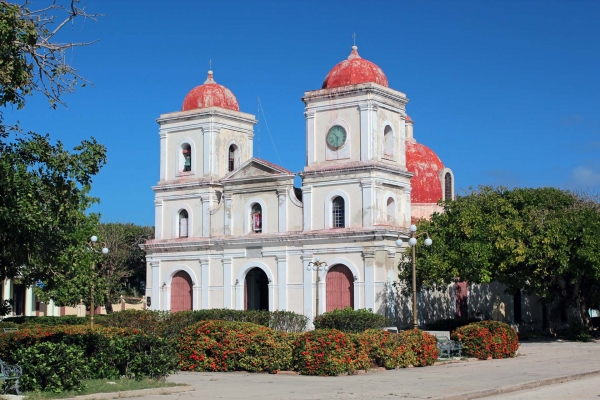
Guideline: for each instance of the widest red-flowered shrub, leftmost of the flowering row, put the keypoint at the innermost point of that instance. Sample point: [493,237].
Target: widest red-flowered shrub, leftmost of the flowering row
[233,346]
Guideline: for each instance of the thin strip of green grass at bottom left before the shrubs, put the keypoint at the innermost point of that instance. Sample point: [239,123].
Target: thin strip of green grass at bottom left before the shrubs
[102,386]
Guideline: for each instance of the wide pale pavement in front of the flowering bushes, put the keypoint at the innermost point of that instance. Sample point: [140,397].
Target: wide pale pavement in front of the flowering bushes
[537,361]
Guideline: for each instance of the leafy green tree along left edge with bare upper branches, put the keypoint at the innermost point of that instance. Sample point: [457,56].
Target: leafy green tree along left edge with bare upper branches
[45,188]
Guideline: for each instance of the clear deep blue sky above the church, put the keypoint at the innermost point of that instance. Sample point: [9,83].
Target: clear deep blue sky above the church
[505,92]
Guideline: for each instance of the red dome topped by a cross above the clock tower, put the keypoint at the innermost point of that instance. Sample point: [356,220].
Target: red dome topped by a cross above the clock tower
[354,70]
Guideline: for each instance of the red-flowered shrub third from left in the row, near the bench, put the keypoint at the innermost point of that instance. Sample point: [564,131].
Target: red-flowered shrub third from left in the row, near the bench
[385,349]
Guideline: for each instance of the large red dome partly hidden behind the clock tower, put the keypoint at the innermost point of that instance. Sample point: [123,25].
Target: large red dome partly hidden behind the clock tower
[426,167]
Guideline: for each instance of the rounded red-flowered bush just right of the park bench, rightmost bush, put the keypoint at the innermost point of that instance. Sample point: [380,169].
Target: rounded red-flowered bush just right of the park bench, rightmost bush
[487,339]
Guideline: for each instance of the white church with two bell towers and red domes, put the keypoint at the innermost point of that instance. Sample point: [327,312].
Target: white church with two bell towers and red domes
[233,232]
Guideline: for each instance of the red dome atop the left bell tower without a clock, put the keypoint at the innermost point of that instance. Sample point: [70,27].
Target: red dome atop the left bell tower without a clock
[210,94]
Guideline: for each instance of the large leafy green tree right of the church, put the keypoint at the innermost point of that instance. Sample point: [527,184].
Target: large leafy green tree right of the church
[543,241]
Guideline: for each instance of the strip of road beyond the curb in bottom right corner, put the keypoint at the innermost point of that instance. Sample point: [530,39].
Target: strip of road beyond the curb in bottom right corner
[584,389]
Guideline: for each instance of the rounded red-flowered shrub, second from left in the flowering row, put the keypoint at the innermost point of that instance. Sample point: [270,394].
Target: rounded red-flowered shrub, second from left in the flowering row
[329,352]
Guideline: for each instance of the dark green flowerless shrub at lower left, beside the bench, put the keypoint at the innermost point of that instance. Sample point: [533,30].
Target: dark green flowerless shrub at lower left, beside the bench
[52,367]
